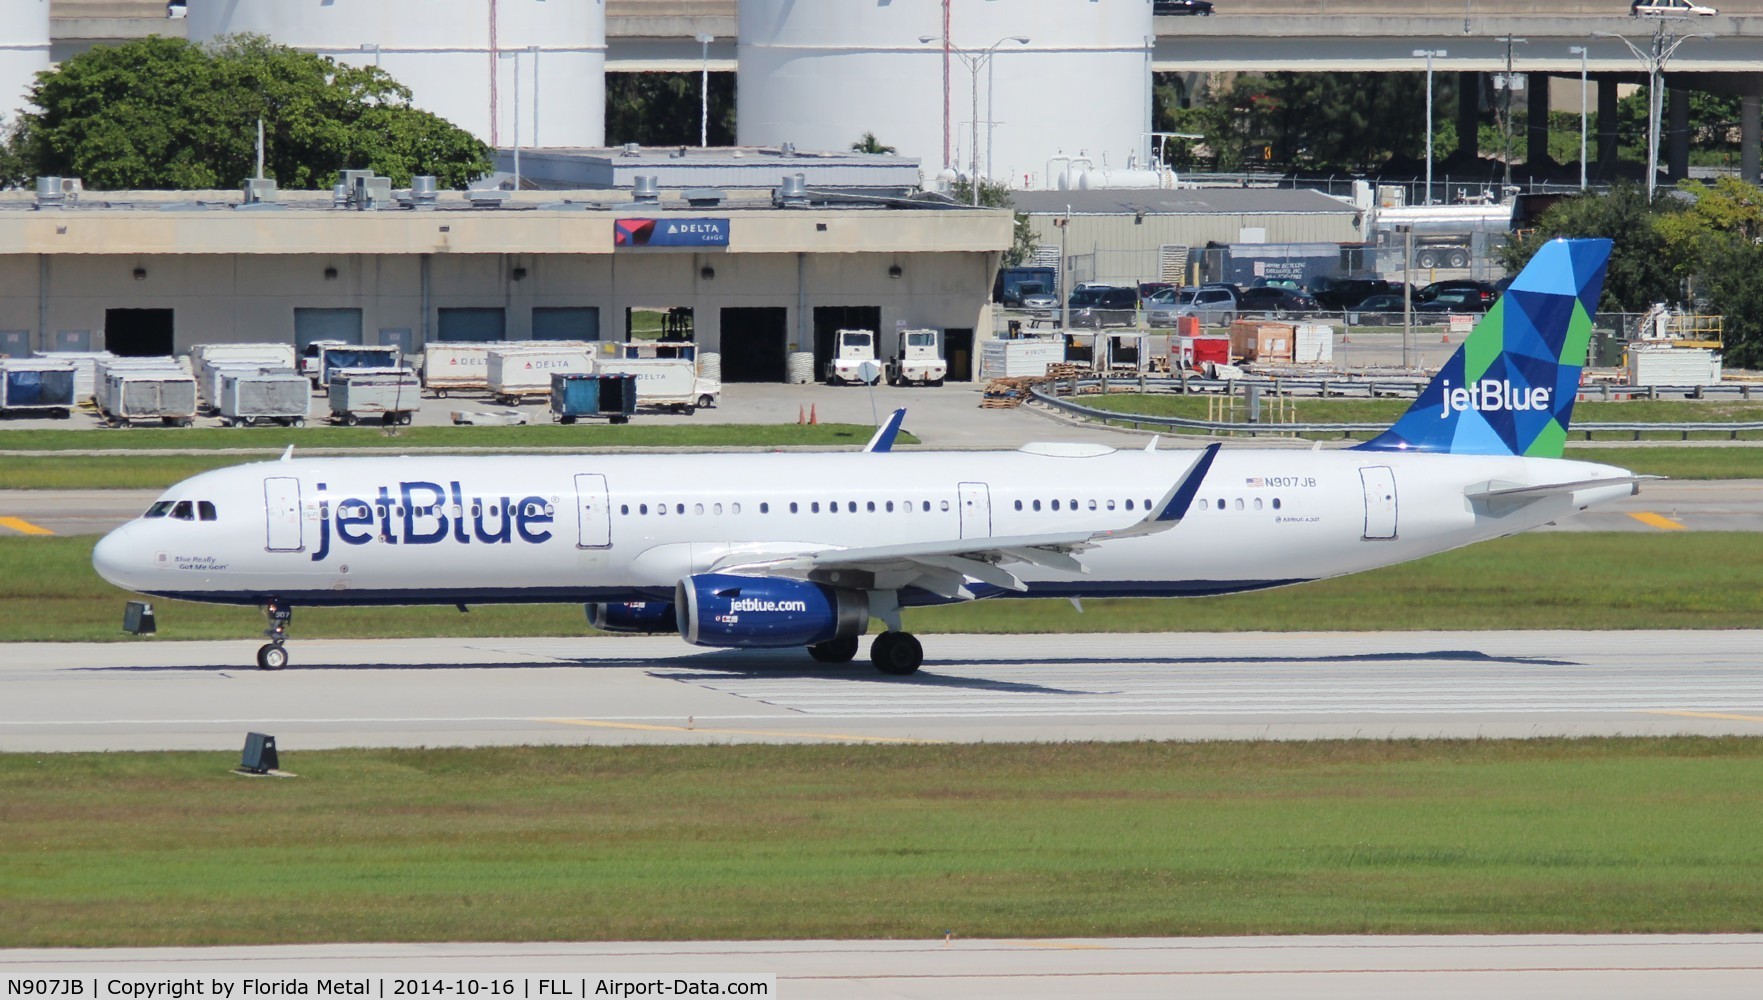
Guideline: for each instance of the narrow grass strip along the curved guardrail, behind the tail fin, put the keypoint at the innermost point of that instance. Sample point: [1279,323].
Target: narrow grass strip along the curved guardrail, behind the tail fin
[1385,412]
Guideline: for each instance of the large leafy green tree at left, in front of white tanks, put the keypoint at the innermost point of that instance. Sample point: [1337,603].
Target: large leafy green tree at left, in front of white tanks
[165,114]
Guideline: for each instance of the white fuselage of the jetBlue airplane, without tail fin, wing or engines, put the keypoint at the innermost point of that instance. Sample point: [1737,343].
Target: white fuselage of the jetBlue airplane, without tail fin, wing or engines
[627,528]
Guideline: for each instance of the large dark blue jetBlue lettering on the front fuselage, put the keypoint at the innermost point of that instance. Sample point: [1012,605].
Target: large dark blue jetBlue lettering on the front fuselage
[426,514]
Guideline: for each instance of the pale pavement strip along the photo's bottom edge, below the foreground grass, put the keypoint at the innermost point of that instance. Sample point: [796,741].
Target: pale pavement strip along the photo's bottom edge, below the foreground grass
[1122,969]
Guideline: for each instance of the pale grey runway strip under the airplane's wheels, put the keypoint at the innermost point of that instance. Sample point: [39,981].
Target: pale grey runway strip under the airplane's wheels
[424,692]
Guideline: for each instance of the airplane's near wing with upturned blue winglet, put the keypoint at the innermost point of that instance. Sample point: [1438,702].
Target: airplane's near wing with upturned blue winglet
[946,567]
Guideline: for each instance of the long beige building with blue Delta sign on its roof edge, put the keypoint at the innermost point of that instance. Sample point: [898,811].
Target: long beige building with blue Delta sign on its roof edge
[754,276]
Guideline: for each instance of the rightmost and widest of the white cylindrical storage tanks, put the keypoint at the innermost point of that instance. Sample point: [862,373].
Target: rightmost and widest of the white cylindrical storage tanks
[822,75]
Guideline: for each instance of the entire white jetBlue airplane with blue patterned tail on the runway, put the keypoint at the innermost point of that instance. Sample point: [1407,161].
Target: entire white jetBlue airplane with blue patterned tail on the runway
[791,549]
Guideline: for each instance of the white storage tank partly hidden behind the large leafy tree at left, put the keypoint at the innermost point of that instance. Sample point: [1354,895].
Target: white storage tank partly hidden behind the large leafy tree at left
[459,57]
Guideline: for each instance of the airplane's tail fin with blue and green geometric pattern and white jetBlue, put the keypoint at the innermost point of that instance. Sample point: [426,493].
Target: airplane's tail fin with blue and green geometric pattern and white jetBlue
[1510,389]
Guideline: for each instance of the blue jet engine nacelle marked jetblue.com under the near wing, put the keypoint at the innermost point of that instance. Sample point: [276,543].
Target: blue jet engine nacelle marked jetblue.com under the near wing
[720,609]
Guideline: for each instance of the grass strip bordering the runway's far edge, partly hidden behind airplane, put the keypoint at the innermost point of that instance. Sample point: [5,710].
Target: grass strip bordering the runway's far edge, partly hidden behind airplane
[1533,581]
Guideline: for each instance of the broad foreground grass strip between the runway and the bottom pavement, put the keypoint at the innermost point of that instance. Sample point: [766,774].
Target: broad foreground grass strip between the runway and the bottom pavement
[886,842]
